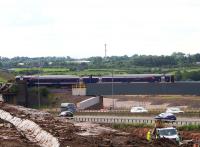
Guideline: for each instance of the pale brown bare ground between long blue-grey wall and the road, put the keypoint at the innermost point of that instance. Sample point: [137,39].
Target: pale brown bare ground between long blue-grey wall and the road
[153,101]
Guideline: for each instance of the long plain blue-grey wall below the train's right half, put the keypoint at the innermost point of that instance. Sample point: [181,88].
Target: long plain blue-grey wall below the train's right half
[177,88]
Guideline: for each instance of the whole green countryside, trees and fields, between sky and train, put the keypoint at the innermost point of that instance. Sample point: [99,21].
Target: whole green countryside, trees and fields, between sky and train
[184,66]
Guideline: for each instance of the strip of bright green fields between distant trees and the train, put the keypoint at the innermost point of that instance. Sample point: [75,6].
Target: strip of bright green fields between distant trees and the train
[101,72]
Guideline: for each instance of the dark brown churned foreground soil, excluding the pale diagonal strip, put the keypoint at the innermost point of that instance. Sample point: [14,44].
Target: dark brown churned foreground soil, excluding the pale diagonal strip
[67,133]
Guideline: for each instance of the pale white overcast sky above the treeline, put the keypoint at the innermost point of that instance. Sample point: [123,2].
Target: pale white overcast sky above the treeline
[80,28]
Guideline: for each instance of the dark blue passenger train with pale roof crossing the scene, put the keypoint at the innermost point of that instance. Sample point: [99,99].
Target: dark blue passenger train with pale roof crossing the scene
[62,80]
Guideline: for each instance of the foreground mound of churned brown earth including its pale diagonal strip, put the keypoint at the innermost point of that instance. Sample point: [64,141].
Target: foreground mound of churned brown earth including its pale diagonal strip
[21,127]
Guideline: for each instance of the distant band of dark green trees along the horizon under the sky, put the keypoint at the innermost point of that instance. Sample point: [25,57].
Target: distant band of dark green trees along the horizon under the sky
[120,62]
